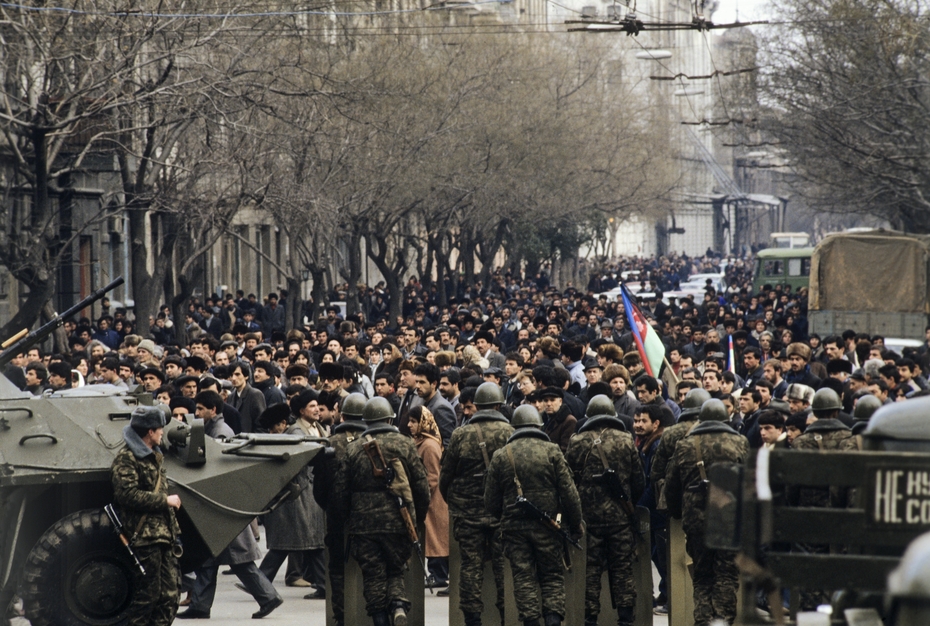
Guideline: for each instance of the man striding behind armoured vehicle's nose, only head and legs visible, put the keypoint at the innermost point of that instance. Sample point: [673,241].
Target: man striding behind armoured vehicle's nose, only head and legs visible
[241,554]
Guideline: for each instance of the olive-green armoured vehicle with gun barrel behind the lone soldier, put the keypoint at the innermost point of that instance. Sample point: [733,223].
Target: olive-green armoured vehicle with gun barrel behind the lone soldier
[59,551]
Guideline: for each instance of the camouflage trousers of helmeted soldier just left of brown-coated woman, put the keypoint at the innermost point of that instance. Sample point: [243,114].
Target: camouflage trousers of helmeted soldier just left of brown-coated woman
[382,558]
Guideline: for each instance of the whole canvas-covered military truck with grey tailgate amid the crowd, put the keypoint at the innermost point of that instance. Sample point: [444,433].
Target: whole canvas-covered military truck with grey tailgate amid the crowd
[875,282]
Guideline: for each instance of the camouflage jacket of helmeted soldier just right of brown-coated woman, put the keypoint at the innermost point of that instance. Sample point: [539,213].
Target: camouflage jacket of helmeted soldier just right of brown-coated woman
[461,478]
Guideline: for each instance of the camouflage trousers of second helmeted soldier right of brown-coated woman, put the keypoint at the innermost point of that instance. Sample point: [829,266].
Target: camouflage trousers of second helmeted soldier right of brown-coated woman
[535,557]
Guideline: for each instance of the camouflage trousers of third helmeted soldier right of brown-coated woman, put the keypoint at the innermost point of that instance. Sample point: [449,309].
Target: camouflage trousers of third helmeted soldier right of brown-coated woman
[611,549]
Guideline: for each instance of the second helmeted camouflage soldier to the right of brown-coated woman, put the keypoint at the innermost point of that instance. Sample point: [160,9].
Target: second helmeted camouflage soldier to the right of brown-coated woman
[532,466]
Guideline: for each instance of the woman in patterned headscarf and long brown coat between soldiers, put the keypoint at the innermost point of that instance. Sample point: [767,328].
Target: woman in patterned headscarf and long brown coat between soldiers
[425,433]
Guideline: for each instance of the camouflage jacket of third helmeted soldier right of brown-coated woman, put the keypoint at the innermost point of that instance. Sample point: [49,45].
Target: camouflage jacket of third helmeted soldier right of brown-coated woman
[601,508]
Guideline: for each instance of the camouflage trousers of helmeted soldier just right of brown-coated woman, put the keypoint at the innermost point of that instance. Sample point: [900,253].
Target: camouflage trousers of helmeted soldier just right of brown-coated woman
[478,544]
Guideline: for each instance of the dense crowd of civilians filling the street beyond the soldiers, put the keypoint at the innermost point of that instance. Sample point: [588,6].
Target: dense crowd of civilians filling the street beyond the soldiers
[555,348]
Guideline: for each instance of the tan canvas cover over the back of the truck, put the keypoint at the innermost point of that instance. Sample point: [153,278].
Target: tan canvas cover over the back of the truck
[876,271]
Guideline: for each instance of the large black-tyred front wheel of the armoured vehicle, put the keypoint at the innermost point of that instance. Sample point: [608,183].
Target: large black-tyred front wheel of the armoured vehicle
[78,573]
